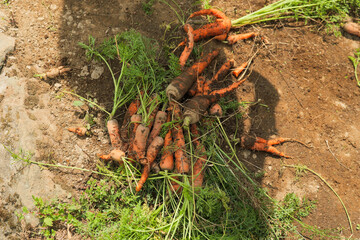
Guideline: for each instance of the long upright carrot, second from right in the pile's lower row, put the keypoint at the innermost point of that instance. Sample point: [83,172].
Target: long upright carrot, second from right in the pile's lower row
[182,162]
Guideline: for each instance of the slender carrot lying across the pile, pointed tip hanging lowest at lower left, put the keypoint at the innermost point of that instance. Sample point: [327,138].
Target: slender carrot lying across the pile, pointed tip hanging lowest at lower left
[151,154]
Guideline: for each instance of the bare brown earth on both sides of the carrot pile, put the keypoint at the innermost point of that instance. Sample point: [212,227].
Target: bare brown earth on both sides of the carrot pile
[302,79]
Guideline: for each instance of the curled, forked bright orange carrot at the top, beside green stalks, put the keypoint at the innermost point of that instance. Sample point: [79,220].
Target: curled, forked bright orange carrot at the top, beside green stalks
[219,28]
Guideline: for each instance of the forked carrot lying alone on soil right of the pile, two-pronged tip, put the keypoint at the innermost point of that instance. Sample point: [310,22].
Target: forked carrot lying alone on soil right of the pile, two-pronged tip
[260,144]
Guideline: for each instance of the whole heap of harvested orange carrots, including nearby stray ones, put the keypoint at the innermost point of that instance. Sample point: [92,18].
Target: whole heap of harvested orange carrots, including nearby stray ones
[140,142]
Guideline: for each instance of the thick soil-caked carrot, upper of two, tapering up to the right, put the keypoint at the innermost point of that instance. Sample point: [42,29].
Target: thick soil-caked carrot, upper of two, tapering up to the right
[181,84]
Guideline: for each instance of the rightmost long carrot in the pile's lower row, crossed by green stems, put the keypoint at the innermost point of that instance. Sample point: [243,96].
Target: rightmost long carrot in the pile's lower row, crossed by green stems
[199,166]
